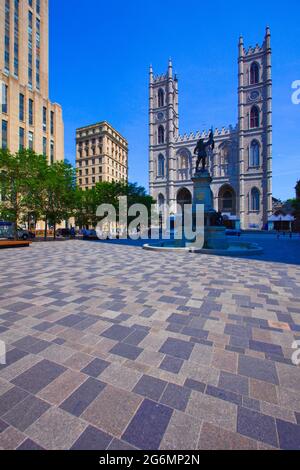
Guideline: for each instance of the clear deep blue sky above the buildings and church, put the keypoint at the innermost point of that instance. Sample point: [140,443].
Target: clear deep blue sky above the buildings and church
[100,54]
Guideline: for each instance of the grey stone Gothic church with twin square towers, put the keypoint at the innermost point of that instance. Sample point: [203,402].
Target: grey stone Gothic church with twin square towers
[241,164]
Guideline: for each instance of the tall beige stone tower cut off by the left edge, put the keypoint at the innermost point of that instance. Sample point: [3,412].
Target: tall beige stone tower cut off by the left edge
[27,117]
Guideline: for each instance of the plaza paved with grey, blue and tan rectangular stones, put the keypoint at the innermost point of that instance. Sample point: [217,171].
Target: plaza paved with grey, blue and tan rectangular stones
[113,347]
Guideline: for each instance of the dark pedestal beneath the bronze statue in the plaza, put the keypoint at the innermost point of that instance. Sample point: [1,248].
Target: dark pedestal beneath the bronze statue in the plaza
[214,235]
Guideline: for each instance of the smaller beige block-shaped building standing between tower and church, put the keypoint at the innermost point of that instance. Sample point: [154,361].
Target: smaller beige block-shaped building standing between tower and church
[101,155]
